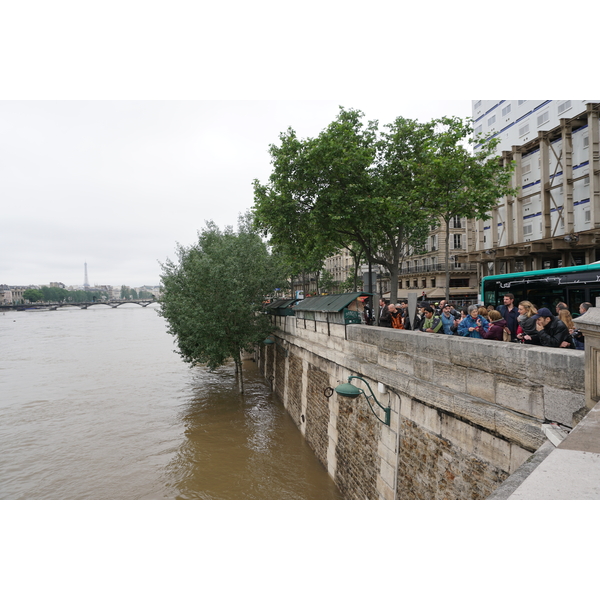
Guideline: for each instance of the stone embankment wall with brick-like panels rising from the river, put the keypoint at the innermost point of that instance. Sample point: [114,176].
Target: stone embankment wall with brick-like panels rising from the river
[465,413]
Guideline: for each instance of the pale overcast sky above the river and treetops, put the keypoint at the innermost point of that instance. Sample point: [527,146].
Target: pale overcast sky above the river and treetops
[117,184]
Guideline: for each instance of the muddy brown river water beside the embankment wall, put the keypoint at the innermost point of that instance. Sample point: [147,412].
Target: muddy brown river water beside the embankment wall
[94,404]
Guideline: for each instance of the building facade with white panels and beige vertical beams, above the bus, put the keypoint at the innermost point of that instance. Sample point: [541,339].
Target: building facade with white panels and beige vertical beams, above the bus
[554,218]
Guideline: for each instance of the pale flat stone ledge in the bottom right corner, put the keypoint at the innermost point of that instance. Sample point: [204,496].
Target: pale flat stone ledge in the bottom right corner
[570,471]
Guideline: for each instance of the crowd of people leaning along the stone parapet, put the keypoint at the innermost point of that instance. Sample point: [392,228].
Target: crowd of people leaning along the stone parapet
[523,323]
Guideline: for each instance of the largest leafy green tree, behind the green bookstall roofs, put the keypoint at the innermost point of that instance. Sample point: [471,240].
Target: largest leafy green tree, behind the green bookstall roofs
[347,186]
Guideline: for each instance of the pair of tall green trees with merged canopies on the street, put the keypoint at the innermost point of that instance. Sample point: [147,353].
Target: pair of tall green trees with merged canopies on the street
[380,191]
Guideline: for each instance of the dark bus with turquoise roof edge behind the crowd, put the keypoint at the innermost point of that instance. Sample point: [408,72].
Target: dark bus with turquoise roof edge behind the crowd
[547,287]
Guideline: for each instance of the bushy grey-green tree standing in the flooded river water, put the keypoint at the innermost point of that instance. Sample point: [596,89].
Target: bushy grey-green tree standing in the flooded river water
[212,296]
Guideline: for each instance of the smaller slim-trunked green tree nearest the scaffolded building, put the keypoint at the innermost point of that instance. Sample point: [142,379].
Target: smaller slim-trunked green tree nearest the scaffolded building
[459,182]
